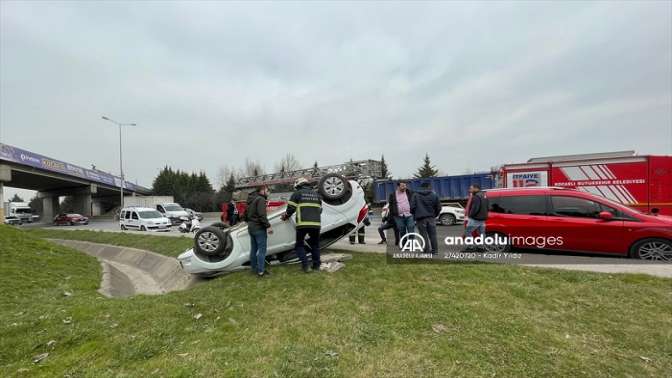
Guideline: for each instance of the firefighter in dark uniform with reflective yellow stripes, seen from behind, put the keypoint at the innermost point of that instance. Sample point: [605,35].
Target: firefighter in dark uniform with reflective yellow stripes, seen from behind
[307,204]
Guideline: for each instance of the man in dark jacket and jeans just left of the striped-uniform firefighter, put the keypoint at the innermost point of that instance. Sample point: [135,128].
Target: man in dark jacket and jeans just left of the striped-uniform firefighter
[259,228]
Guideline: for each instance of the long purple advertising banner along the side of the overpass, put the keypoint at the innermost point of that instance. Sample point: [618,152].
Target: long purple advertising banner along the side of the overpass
[21,156]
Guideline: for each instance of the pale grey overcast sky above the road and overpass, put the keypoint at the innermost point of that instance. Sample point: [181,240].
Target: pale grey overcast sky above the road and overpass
[210,84]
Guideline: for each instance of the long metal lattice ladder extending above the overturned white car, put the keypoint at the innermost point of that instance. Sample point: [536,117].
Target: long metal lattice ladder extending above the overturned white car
[352,169]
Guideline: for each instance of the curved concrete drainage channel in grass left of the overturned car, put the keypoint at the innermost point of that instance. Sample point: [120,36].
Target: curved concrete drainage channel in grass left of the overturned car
[130,271]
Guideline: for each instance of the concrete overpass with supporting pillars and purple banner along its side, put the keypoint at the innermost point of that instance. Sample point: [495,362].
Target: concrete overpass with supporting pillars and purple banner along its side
[92,190]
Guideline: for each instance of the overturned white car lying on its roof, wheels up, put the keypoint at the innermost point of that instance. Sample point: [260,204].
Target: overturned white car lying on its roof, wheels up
[218,248]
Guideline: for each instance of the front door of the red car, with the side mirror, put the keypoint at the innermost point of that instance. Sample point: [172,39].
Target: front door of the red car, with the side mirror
[577,221]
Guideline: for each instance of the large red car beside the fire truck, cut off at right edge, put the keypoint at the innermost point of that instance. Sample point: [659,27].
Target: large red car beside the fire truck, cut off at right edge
[571,220]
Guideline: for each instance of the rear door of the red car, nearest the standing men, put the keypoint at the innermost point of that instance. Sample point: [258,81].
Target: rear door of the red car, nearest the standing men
[520,217]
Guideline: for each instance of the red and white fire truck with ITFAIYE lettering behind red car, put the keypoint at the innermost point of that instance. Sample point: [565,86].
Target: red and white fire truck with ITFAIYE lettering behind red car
[640,182]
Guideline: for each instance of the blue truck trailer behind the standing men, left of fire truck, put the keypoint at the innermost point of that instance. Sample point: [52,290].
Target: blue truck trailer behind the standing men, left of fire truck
[449,188]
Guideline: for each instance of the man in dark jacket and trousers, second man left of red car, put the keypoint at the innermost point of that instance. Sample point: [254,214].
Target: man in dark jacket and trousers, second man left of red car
[425,207]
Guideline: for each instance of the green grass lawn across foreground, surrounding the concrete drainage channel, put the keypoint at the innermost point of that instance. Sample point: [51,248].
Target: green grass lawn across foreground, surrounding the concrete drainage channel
[369,319]
